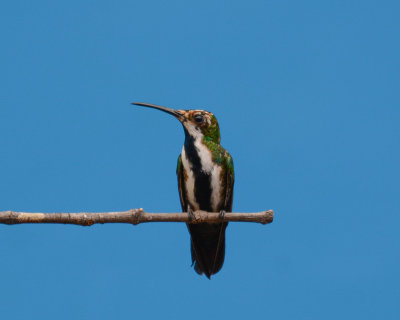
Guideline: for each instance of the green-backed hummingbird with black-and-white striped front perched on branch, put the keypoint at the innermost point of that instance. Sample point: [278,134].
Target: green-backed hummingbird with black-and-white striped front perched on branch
[205,180]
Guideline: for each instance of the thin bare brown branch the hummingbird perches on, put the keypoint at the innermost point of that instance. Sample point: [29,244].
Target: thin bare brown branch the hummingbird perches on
[134,216]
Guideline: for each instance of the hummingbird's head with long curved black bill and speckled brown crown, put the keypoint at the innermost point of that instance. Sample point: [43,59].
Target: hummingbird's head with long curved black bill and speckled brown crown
[196,123]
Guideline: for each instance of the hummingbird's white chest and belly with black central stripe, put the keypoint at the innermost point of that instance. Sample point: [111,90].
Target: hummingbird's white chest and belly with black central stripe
[203,185]
